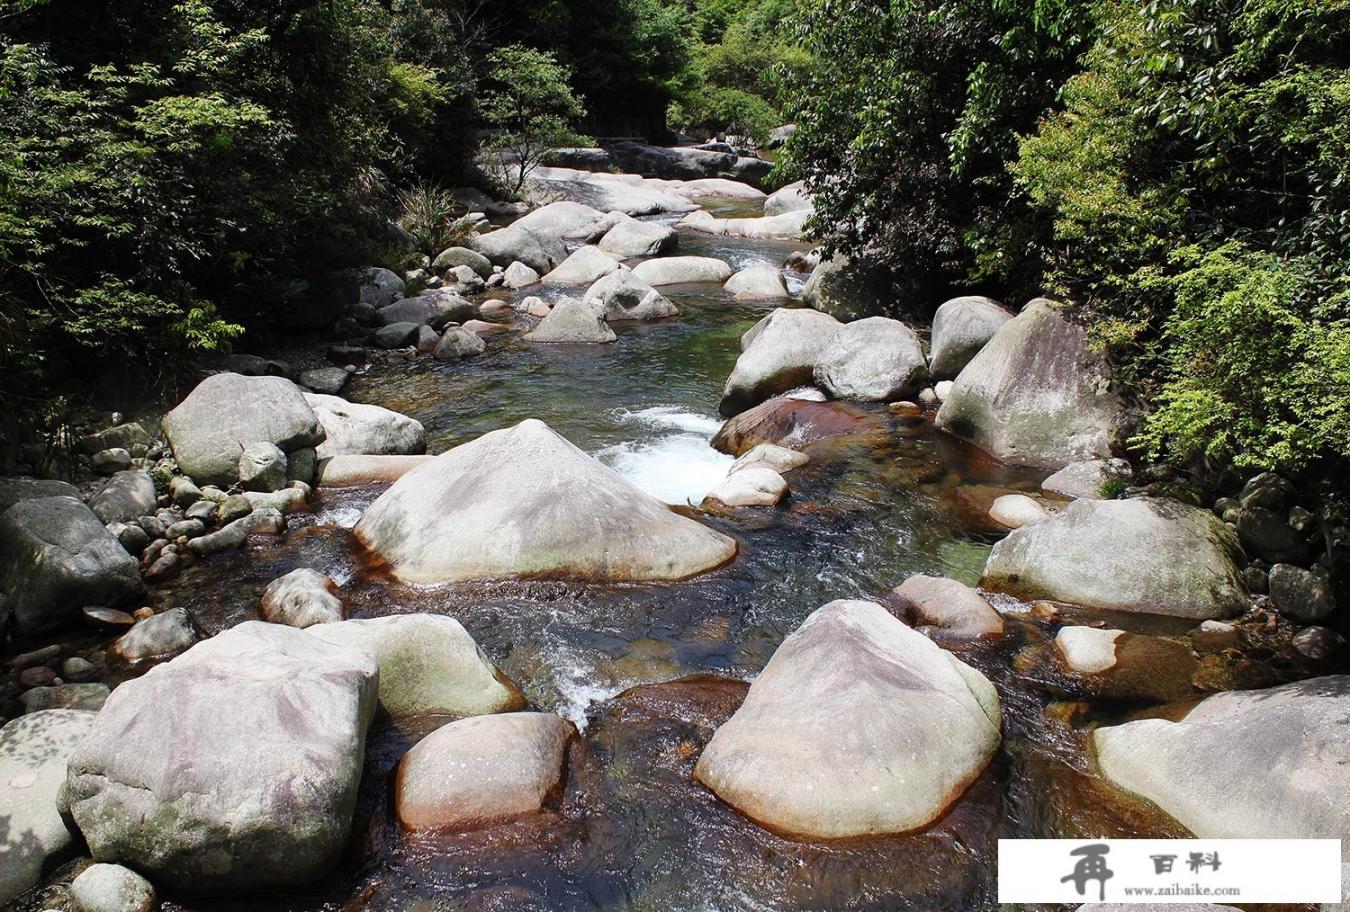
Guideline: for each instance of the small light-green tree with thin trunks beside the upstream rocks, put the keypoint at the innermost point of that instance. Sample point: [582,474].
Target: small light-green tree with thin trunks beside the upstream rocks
[531,110]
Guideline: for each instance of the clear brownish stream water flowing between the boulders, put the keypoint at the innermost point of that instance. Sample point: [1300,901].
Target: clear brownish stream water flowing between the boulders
[632,829]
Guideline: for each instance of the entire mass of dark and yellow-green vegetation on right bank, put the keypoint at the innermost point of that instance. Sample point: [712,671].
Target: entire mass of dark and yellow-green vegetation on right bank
[1177,172]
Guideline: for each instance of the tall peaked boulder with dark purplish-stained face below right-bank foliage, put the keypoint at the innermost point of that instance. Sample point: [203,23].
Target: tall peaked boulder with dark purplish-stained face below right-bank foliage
[1035,395]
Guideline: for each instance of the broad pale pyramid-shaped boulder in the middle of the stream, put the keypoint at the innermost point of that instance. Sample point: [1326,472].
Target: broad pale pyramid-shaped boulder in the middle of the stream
[526,503]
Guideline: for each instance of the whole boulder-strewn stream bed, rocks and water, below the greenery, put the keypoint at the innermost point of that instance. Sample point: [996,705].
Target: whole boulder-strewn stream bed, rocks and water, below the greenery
[445,639]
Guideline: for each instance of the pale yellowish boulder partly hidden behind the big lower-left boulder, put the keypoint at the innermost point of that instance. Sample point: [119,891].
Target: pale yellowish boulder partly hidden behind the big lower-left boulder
[429,666]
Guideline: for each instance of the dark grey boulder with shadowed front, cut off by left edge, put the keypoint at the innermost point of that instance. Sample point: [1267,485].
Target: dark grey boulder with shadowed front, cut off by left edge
[56,558]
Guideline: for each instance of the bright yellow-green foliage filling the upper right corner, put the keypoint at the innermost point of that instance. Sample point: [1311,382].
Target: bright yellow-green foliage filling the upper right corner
[1199,186]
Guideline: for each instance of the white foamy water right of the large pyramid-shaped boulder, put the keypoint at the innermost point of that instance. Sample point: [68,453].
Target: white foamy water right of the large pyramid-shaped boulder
[676,465]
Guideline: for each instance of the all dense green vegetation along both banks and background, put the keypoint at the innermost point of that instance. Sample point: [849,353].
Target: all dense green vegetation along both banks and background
[1175,172]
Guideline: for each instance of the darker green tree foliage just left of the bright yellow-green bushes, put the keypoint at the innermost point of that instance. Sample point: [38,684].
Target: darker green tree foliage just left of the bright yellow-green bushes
[905,122]
